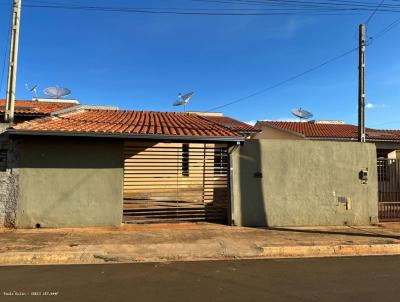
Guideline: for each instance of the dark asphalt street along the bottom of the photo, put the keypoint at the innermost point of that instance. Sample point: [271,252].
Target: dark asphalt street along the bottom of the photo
[329,279]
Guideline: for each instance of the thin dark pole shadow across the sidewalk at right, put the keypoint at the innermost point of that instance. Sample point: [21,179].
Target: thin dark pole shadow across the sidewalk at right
[357,231]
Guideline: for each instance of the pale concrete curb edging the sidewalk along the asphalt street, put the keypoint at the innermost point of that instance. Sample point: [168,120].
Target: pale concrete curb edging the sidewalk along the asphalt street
[271,252]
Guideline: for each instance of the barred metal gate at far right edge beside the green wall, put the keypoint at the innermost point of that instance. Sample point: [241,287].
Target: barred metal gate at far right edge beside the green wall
[389,189]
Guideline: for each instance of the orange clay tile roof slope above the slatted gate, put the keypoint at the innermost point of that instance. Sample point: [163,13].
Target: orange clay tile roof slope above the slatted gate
[129,122]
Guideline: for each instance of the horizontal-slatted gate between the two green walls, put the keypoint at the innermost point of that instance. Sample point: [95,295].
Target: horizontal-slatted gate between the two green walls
[166,182]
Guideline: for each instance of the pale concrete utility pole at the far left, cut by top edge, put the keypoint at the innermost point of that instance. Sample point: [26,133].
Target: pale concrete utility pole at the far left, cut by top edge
[12,66]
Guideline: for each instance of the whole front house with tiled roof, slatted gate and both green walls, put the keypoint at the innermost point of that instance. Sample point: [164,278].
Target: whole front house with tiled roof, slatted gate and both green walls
[82,167]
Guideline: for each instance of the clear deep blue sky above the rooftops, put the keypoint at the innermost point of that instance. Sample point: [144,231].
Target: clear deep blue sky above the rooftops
[142,62]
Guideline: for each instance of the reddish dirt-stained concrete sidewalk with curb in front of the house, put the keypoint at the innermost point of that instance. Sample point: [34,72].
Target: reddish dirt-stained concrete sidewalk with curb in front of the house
[189,242]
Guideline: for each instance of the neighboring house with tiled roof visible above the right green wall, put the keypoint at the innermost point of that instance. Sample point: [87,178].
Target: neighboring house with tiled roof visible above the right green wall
[386,141]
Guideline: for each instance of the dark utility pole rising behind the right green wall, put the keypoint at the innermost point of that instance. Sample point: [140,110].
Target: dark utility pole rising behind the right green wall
[361,83]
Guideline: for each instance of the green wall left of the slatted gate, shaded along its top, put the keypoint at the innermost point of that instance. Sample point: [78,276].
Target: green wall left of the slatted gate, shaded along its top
[69,182]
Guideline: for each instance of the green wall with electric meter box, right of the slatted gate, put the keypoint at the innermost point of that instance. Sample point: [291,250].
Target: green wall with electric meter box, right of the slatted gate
[303,183]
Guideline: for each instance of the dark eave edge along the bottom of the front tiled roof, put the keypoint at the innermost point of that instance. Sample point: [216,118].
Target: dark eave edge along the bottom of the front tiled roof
[126,136]
